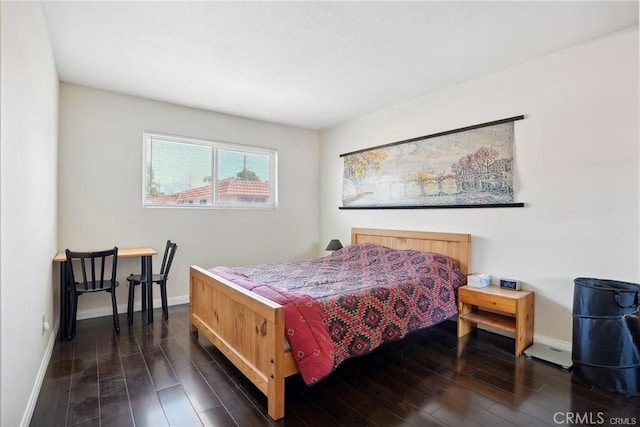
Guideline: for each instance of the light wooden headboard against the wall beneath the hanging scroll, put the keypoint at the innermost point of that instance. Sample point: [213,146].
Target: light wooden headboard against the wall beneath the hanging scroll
[454,245]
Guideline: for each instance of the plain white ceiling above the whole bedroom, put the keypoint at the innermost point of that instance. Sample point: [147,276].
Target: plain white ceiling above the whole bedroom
[310,64]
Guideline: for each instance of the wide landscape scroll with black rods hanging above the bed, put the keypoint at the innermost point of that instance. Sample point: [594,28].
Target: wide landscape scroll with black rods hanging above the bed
[461,168]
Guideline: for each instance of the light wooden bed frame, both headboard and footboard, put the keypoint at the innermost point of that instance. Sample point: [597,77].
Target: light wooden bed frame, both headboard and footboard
[249,329]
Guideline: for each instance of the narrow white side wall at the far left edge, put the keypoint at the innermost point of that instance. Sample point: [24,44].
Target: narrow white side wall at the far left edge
[29,105]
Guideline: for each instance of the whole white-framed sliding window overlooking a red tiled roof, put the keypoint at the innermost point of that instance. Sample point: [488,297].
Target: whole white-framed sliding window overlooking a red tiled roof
[186,172]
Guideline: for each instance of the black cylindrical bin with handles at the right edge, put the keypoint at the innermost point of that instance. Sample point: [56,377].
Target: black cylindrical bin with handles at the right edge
[603,349]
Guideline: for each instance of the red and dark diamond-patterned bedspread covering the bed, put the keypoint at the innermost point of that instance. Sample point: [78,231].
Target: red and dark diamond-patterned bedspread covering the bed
[349,303]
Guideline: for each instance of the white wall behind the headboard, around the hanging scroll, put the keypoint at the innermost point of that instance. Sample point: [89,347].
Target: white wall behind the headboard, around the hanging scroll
[577,169]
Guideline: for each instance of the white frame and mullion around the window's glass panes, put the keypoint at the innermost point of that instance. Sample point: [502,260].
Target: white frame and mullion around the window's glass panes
[215,145]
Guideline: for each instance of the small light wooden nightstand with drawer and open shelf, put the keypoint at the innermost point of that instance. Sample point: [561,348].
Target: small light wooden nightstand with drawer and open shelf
[511,311]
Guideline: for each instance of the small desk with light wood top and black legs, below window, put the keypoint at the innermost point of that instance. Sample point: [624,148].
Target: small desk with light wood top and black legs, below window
[146,255]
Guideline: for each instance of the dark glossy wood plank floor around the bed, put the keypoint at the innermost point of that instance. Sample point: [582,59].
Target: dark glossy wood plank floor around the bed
[162,375]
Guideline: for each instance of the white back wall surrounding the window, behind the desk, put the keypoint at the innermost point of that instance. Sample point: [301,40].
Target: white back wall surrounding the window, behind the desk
[100,190]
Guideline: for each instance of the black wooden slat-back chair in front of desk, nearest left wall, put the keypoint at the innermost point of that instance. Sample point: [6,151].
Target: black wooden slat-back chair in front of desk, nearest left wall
[98,273]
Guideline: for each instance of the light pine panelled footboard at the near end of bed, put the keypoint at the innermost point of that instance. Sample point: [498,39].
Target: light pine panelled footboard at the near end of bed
[247,328]
